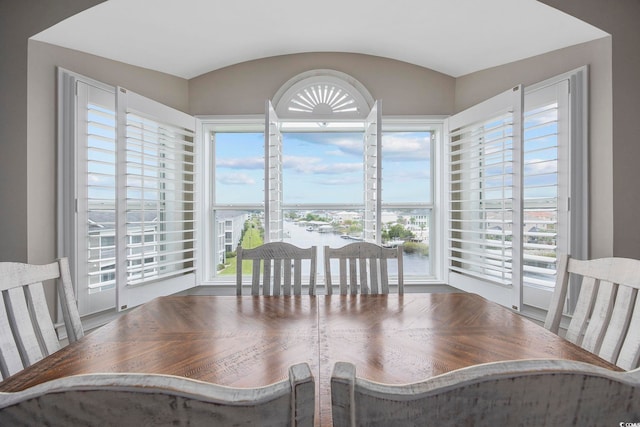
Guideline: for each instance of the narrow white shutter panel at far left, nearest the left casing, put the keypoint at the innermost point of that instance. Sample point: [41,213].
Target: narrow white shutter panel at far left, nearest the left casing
[94,266]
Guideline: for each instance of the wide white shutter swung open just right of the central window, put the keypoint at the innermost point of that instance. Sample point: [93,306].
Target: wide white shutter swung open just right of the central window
[484,157]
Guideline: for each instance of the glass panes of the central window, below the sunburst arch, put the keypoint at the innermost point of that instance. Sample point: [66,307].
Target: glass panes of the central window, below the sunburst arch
[322,181]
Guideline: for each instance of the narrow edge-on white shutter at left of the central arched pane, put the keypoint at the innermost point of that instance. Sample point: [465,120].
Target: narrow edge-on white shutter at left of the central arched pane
[274,217]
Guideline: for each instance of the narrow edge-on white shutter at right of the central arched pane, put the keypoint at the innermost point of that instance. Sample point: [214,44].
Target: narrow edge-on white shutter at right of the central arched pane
[373,172]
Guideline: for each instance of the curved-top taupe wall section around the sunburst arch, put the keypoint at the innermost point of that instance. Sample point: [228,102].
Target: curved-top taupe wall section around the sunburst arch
[243,88]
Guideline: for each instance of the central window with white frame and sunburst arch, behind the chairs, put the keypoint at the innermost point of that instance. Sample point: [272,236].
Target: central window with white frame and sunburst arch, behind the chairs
[309,174]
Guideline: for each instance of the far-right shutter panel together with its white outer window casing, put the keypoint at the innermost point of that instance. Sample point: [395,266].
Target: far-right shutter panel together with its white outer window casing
[555,186]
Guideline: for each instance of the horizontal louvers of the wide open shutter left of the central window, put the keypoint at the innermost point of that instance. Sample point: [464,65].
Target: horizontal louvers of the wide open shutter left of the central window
[160,204]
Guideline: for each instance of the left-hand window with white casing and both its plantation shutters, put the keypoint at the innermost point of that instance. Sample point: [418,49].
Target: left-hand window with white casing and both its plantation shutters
[127,191]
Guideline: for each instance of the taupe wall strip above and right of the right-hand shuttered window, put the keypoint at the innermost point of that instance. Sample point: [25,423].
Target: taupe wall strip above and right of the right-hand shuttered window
[473,88]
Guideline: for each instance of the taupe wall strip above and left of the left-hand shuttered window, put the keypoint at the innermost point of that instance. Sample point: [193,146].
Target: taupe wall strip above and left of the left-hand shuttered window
[41,119]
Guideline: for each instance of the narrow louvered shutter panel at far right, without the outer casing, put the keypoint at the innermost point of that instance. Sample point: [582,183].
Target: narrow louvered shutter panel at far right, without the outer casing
[545,183]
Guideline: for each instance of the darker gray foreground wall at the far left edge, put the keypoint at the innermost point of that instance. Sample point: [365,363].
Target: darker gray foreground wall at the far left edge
[19,20]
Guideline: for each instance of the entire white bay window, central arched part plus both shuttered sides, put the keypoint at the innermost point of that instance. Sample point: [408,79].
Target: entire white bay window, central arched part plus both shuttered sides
[330,173]
